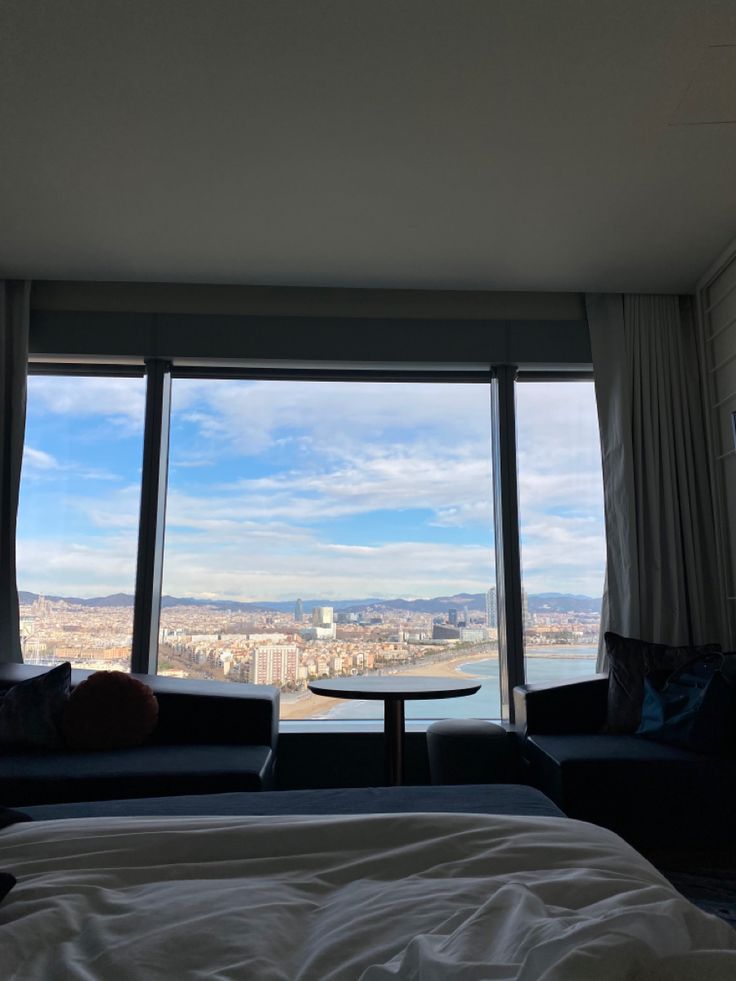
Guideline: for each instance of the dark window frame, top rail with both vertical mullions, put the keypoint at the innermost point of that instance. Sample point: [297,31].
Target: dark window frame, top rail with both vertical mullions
[160,372]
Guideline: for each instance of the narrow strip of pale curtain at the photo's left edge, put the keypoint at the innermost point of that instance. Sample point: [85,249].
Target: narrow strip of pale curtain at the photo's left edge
[14,313]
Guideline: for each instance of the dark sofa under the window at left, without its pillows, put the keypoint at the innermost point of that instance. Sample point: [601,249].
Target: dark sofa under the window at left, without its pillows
[211,738]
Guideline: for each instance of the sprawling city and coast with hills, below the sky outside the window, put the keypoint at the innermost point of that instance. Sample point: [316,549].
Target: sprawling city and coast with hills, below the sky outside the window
[275,647]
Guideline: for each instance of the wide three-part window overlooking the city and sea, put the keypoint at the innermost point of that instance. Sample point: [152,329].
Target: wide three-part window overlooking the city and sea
[299,523]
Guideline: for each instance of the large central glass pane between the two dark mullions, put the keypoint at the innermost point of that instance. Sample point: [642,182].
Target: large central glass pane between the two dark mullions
[327,529]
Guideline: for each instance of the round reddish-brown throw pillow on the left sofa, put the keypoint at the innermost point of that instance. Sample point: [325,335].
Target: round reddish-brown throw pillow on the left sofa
[110,710]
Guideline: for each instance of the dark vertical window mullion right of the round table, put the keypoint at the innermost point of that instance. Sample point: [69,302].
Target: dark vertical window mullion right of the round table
[506,519]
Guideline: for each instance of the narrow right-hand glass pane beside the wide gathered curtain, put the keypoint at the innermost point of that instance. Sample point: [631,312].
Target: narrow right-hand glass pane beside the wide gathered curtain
[562,530]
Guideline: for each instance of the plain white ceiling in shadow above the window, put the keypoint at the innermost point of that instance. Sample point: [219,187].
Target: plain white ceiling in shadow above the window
[517,145]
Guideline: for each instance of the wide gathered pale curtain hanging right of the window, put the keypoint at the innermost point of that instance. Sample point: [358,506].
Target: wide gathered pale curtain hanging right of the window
[661,578]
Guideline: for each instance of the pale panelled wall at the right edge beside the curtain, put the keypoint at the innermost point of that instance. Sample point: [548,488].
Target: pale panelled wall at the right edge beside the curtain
[717,306]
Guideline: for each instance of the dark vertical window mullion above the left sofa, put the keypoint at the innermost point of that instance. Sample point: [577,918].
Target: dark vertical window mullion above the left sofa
[147,611]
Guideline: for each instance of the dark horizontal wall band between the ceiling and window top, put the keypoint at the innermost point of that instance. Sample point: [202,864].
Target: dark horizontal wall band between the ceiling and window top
[227,324]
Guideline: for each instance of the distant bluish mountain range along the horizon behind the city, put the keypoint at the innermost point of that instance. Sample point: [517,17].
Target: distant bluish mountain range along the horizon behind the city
[538,603]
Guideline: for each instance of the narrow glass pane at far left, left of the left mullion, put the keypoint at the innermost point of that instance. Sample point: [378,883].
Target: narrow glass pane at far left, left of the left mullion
[78,519]
